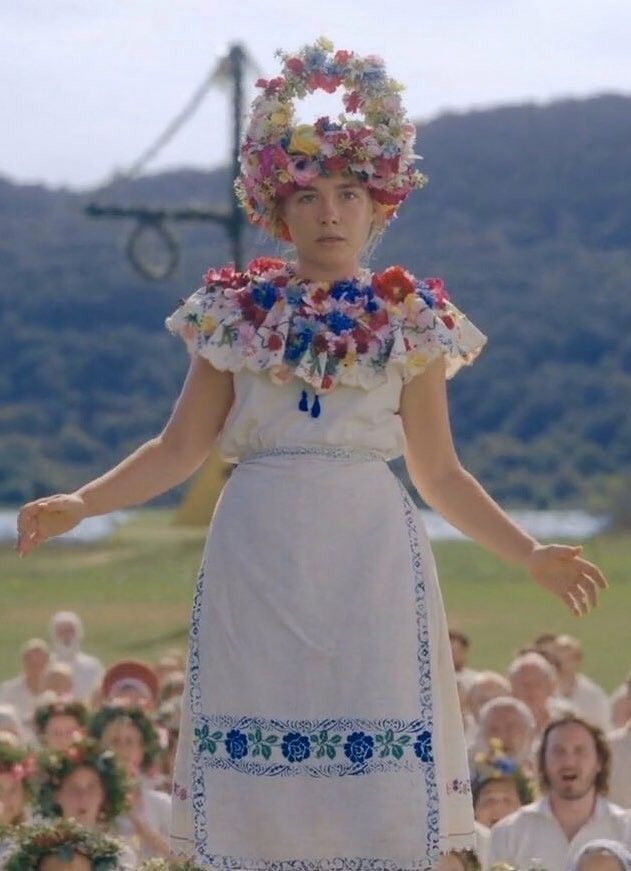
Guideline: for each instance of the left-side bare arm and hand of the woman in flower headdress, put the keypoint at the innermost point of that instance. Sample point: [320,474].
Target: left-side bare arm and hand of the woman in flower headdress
[155,467]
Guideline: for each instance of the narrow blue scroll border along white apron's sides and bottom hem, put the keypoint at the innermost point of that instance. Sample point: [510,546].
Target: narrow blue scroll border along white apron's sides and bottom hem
[426,710]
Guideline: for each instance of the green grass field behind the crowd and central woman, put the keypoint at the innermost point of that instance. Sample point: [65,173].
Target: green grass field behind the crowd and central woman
[134,590]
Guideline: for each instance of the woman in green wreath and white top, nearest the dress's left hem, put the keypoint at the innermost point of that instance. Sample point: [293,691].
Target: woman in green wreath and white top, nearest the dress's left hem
[131,735]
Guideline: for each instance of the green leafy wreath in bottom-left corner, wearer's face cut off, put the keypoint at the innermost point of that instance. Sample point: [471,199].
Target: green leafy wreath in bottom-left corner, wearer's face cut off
[63,839]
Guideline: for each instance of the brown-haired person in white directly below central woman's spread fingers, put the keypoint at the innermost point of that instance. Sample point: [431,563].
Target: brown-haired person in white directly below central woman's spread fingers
[589,700]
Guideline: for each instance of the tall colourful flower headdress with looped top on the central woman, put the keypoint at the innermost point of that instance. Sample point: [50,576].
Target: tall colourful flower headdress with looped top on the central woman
[278,156]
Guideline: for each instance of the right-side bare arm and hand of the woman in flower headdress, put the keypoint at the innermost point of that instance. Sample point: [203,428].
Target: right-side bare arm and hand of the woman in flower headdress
[450,490]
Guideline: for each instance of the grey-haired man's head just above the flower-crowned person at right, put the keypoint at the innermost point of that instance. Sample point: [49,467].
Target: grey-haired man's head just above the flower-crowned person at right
[512,721]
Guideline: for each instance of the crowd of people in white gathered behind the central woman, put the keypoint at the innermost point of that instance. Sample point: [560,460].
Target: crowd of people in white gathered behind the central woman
[86,759]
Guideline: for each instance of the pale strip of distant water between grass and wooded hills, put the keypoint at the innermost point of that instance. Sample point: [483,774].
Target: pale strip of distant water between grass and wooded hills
[540,524]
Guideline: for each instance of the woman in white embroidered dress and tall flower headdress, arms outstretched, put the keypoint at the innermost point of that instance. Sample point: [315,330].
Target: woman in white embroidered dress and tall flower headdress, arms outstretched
[321,728]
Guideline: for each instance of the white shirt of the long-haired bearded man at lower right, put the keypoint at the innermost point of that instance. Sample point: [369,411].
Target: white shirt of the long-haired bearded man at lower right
[533,832]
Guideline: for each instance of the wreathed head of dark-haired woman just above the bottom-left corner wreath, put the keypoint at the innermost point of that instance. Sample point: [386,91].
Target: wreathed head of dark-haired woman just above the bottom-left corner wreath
[86,784]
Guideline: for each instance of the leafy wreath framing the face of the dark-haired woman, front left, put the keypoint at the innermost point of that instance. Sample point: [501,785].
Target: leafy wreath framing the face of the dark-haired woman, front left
[55,766]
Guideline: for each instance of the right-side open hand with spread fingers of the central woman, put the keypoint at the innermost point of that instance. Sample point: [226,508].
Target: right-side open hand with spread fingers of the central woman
[560,569]
